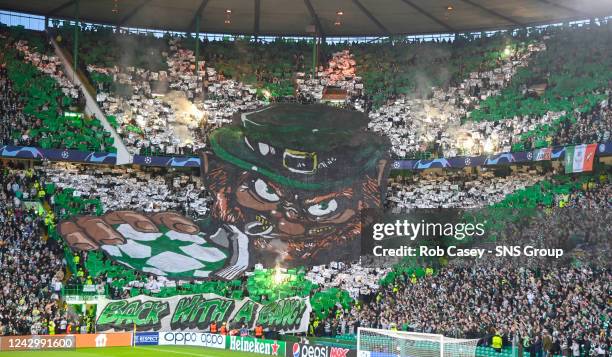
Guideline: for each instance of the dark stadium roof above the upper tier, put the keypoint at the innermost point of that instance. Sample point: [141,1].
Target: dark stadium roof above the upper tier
[299,17]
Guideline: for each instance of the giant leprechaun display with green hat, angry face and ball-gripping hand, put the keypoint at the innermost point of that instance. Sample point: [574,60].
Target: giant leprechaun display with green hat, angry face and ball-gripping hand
[289,182]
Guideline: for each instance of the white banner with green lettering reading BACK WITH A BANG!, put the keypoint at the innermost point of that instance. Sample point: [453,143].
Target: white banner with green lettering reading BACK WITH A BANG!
[196,313]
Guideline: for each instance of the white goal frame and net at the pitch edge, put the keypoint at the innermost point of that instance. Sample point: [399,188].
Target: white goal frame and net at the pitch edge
[387,343]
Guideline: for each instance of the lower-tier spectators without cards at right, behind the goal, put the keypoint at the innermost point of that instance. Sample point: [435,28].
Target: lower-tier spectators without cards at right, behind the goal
[536,305]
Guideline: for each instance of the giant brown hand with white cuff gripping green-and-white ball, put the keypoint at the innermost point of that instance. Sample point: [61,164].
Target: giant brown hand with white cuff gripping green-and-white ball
[164,243]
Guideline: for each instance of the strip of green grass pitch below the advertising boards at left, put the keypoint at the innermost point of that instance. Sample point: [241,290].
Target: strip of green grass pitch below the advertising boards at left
[137,351]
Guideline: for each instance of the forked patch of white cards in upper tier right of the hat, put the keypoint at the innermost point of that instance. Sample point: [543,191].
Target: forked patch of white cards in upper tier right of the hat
[419,124]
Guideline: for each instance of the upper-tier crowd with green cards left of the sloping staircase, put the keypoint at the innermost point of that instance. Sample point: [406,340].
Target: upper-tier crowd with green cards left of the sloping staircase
[39,105]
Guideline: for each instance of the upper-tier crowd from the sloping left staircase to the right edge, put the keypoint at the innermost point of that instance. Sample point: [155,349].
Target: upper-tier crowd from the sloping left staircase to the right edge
[467,97]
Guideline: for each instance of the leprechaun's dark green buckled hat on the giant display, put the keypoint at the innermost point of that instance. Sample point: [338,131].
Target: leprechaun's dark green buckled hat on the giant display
[307,147]
